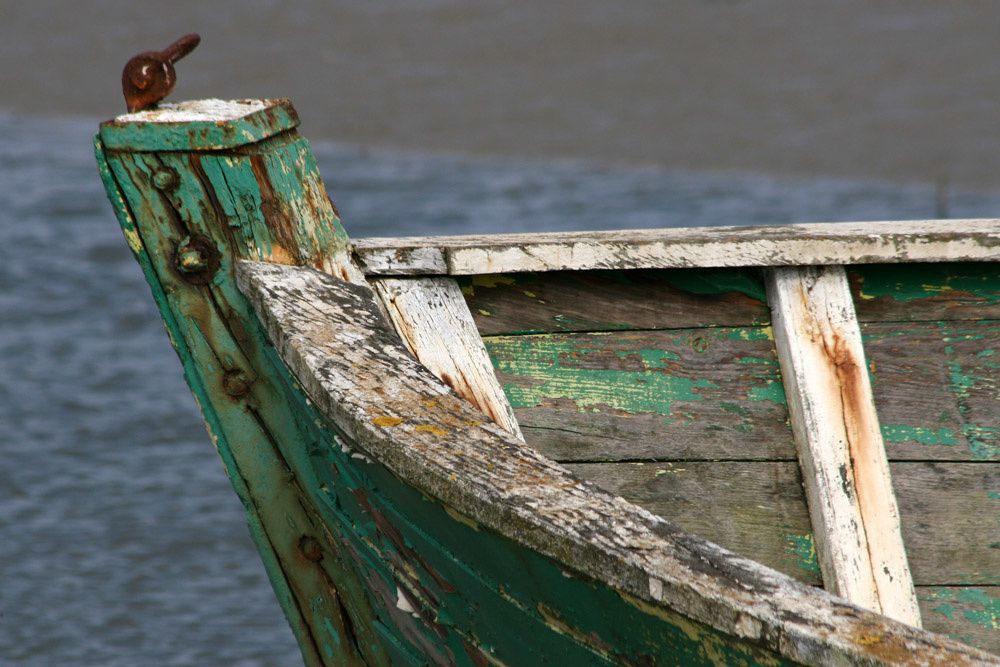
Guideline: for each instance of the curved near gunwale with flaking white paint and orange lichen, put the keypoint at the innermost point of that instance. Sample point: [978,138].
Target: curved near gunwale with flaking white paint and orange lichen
[360,376]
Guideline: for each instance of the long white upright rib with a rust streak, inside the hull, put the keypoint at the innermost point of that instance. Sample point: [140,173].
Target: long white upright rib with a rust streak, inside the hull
[844,465]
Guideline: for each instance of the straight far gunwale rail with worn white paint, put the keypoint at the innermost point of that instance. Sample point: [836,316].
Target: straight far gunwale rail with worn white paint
[777,245]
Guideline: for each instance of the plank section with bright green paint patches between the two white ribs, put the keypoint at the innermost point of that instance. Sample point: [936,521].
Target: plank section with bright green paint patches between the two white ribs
[634,395]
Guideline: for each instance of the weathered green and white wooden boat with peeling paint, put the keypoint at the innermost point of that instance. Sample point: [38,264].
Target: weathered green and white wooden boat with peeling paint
[528,449]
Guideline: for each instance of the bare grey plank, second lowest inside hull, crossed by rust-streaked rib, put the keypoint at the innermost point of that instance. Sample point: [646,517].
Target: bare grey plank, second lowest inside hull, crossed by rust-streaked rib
[757,509]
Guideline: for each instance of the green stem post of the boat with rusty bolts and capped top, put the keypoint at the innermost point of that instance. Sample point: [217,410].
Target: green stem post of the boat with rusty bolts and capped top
[197,187]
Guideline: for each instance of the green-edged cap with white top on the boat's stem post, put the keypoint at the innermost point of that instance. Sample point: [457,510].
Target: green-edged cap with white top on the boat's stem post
[203,125]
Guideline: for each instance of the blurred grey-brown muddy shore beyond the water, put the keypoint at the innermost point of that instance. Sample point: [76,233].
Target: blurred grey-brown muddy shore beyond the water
[894,92]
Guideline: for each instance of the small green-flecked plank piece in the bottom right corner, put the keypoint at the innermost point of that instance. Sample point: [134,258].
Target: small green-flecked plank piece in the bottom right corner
[967,613]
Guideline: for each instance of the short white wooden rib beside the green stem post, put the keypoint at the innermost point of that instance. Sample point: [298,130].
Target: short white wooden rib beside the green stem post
[431,317]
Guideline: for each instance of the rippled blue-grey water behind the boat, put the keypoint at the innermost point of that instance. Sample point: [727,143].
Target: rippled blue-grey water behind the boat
[121,542]
